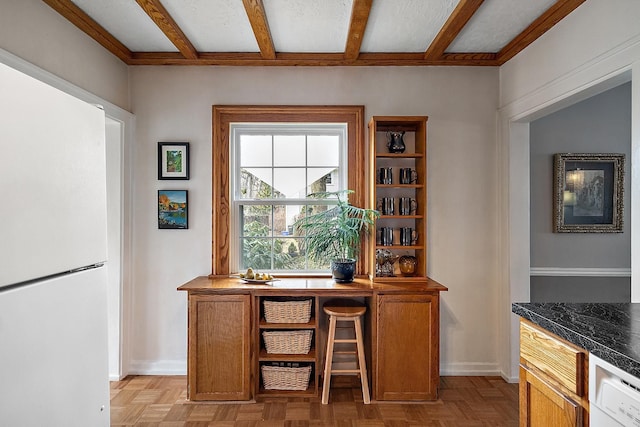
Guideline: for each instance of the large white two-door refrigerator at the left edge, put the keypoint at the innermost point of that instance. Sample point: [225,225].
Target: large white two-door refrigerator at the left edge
[53,287]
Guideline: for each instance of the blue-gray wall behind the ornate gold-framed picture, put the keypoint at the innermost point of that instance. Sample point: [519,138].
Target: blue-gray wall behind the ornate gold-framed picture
[600,124]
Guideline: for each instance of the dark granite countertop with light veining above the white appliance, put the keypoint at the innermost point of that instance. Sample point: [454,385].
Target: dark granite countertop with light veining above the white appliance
[609,331]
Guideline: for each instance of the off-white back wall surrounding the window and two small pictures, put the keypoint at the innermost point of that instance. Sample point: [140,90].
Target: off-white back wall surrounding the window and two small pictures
[174,104]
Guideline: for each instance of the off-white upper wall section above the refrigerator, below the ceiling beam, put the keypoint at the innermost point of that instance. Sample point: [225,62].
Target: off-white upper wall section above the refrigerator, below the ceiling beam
[36,33]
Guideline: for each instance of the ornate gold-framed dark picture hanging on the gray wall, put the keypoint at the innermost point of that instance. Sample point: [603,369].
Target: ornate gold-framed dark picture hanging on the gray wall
[588,193]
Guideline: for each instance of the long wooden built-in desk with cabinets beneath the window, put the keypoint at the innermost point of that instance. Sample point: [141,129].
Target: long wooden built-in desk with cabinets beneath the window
[226,350]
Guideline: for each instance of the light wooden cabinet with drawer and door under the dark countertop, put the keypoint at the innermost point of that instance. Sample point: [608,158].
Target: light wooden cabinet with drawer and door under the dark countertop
[553,380]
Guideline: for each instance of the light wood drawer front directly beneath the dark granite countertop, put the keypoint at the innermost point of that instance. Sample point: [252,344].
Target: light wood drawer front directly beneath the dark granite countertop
[561,361]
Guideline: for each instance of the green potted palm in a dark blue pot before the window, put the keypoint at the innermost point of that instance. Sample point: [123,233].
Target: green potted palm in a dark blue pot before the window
[335,234]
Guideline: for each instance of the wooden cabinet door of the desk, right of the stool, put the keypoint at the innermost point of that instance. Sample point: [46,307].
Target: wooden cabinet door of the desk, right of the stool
[406,351]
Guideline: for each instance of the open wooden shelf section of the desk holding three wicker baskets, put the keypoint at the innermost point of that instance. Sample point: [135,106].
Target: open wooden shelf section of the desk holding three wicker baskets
[288,361]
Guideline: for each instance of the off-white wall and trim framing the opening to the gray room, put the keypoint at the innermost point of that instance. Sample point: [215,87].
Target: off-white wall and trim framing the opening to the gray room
[595,48]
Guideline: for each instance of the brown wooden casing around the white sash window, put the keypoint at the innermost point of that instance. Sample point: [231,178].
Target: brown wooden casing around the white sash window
[224,115]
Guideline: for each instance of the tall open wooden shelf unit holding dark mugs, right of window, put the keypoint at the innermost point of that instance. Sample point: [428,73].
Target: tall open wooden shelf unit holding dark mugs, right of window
[409,220]
